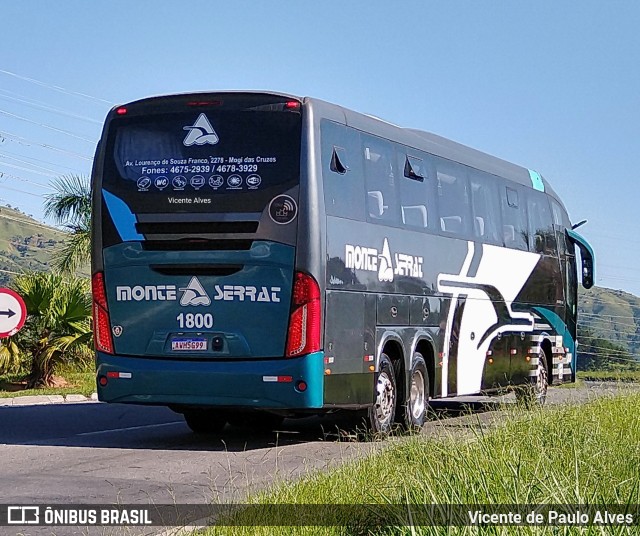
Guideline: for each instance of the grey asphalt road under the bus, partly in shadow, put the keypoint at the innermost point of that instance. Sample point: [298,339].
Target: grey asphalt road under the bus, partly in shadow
[115,454]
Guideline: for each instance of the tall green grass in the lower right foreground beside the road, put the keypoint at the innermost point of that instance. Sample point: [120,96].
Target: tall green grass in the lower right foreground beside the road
[587,454]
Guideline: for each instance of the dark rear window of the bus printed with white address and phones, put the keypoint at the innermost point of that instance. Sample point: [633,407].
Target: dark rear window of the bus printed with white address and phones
[202,161]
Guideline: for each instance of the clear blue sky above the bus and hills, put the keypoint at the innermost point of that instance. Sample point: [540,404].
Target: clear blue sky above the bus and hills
[550,85]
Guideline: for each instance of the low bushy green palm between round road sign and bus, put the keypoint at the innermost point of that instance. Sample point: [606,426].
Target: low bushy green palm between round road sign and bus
[58,324]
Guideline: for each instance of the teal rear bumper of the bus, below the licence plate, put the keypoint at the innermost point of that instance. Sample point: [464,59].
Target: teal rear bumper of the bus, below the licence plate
[265,384]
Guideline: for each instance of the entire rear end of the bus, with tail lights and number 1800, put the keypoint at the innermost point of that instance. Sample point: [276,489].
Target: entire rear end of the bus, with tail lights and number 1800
[197,301]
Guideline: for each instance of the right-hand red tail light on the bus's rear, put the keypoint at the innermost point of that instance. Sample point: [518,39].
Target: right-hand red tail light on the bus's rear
[304,322]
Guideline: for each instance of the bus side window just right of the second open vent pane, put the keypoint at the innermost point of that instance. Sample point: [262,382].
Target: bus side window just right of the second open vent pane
[453,199]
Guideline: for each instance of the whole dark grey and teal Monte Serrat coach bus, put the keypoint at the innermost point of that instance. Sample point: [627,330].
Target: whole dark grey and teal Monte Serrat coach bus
[257,256]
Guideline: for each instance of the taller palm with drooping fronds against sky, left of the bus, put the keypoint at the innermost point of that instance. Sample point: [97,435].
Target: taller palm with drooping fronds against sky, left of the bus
[70,206]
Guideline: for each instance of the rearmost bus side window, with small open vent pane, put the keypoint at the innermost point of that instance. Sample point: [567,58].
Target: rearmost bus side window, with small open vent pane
[342,176]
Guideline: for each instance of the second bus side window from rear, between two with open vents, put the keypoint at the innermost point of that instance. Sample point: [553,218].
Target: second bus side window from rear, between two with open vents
[381,180]
